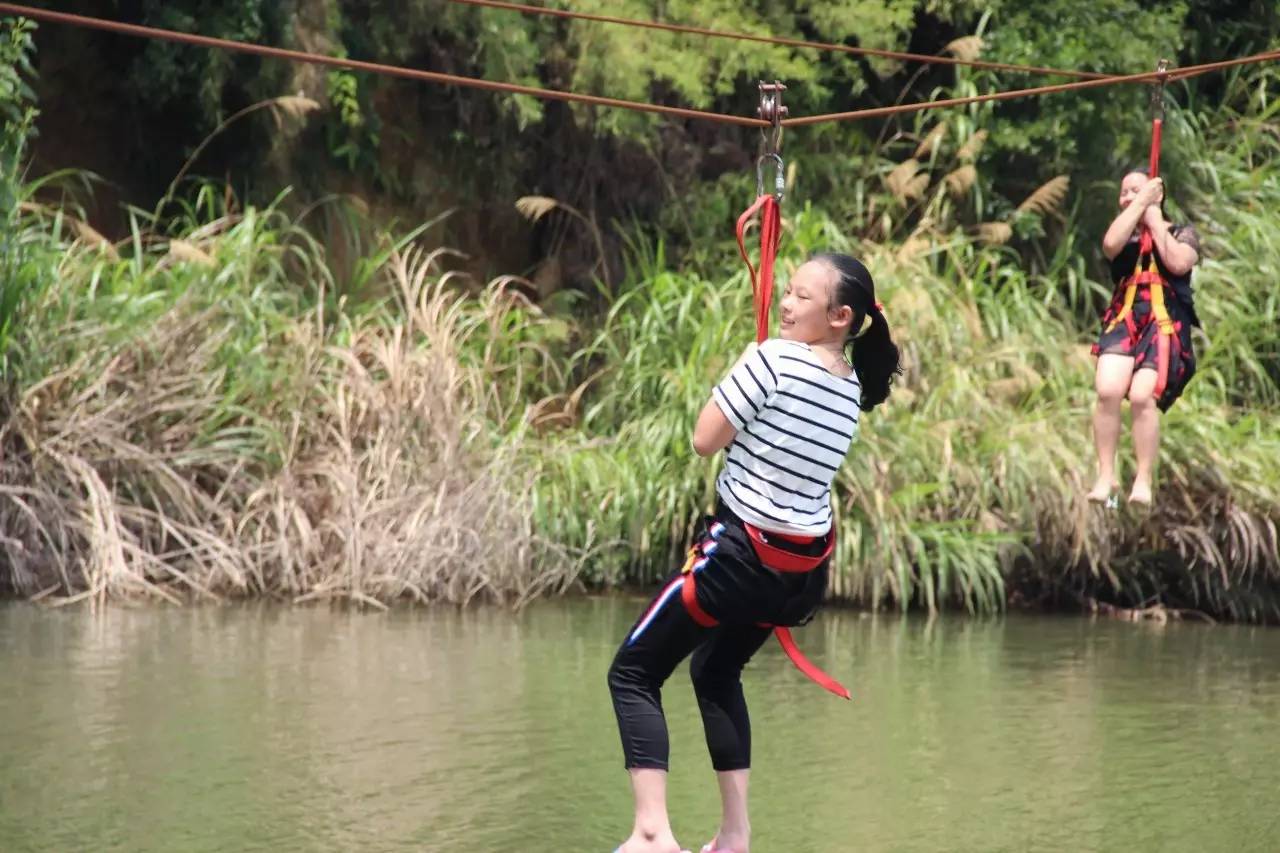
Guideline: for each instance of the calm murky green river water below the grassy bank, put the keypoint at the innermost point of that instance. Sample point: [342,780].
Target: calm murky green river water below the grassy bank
[264,728]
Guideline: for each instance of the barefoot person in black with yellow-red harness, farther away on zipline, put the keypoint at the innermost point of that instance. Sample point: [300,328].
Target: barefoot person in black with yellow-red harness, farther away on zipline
[1145,350]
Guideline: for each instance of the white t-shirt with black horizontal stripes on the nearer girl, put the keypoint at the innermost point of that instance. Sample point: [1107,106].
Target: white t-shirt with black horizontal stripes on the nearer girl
[796,422]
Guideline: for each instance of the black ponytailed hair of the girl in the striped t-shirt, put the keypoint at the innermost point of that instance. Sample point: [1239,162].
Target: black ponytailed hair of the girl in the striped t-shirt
[874,354]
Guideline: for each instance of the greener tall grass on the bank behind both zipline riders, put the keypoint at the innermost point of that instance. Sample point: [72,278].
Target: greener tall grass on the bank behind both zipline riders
[967,490]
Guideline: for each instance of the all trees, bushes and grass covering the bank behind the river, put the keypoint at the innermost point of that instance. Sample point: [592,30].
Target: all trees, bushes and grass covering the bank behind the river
[253,391]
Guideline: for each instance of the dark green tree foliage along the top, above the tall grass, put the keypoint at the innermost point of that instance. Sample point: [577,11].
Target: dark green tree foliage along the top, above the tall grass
[422,144]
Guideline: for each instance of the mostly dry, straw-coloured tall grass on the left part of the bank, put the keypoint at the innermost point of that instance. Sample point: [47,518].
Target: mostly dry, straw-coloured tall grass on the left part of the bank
[194,417]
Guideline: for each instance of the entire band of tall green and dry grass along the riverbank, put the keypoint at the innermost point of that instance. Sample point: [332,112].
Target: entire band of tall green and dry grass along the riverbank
[207,409]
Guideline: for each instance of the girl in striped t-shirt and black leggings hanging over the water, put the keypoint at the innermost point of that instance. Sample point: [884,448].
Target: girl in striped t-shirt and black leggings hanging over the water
[788,413]
